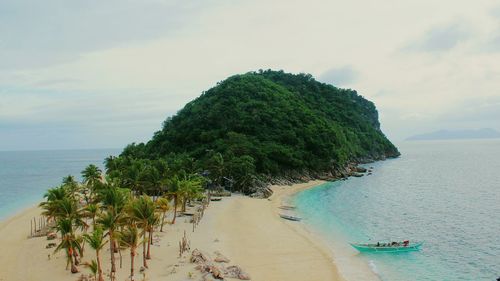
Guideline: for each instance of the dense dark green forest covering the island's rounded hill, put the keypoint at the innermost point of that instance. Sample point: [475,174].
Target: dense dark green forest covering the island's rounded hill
[257,126]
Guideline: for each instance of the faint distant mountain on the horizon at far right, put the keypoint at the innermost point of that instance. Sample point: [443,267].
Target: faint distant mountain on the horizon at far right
[486,133]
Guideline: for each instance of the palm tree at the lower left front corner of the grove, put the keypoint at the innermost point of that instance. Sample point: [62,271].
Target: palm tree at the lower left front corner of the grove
[69,241]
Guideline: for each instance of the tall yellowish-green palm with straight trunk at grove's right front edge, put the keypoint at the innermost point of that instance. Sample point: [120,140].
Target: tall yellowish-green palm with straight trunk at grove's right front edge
[142,210]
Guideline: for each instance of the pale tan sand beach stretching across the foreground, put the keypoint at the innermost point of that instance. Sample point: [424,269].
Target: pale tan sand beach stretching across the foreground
[247,231]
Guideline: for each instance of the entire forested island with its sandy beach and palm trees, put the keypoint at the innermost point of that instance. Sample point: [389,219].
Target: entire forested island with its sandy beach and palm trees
[177,208]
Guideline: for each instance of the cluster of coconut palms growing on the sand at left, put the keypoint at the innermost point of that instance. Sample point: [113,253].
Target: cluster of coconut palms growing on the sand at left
[100,212]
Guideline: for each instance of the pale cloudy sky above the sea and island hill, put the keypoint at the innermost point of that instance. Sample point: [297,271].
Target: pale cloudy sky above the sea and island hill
[102,74]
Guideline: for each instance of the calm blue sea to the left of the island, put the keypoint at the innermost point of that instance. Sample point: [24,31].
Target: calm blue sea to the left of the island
[26,175]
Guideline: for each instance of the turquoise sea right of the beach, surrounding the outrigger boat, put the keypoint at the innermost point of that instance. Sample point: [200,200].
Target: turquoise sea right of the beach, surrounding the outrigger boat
[446,193]
